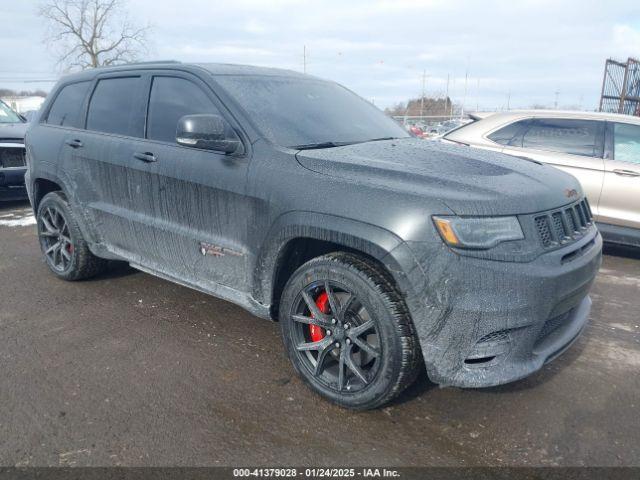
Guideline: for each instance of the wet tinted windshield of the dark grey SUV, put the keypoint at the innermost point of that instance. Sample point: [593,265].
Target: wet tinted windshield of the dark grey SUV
[299,112]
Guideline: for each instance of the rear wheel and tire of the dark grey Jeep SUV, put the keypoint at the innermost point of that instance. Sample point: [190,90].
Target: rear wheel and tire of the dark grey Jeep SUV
[63,246]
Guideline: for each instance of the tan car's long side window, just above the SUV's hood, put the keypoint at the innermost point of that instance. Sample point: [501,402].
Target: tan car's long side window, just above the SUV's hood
[575,137]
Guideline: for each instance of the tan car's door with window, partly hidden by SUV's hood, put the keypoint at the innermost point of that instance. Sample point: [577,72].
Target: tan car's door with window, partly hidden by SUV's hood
[574,146]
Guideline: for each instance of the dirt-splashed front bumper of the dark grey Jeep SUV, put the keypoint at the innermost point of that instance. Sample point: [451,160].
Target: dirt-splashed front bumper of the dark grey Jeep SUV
[483,323]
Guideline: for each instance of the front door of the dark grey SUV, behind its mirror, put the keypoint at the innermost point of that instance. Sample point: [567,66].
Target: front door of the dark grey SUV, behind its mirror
[193,214]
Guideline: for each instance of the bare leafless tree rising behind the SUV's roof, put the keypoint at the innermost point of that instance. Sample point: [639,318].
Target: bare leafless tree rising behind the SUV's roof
[92,33]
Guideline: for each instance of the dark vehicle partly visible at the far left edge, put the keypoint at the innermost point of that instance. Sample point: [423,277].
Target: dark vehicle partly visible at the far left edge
[12,155]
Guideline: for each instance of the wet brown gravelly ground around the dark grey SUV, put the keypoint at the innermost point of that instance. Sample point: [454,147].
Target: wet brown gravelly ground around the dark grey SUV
[127,369]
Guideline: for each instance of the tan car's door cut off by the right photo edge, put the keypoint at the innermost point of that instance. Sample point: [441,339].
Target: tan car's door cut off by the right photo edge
[620,201]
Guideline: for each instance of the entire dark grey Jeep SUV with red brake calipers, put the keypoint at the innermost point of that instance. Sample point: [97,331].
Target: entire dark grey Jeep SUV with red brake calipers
[377,252]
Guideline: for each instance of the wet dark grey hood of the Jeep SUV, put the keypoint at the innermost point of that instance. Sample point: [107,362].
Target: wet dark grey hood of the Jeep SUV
[469,181]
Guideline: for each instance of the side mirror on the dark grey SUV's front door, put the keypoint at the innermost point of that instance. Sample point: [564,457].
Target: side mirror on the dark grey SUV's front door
[208,132]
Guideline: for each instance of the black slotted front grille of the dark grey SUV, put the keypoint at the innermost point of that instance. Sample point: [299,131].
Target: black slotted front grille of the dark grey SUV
[561,226]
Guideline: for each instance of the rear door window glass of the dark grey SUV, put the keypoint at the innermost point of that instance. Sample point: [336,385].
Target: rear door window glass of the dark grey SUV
[113,107]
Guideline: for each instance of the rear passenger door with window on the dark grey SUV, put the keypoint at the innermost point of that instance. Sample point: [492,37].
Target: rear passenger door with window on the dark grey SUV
[103,159]
